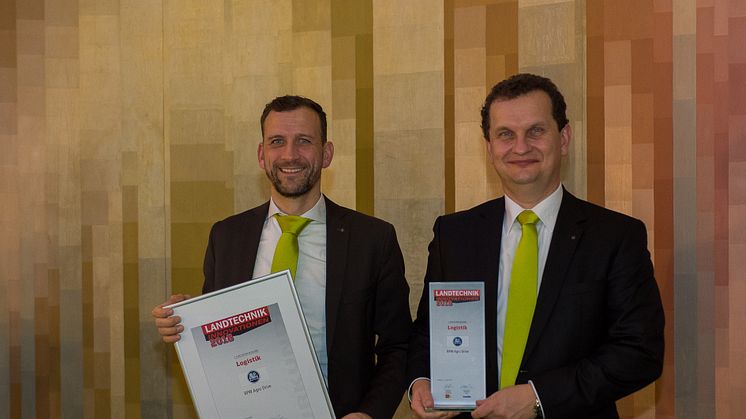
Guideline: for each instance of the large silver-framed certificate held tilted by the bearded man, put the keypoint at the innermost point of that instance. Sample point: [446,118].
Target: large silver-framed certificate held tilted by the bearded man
[246,353]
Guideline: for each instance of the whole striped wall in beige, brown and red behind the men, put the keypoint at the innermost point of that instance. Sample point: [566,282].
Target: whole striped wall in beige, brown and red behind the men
[127,127]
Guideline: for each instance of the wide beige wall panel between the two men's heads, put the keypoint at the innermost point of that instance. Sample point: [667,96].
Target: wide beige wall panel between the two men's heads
[408,126]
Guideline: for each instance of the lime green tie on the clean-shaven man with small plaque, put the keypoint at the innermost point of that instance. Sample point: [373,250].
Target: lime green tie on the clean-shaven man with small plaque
[521,299]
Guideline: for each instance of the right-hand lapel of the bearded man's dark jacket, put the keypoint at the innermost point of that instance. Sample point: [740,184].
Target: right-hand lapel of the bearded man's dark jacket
[337,236]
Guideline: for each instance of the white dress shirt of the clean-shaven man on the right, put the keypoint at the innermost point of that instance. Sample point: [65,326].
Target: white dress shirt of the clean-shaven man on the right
[547,211]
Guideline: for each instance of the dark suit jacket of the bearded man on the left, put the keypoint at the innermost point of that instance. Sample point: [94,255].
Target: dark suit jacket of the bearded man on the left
[367,297]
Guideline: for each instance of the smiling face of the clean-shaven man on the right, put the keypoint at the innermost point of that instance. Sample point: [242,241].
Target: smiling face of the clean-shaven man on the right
[526,147]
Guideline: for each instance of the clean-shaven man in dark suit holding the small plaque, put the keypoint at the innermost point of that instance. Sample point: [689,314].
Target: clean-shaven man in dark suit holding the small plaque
[596,332]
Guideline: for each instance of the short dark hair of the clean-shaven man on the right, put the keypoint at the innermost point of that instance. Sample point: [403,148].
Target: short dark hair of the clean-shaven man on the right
[519,85]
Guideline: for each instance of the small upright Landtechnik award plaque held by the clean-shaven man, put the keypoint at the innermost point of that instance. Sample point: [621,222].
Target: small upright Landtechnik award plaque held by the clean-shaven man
[457,354]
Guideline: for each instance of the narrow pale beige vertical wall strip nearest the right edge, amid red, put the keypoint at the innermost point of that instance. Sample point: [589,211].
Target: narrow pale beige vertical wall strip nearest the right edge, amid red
[696,289]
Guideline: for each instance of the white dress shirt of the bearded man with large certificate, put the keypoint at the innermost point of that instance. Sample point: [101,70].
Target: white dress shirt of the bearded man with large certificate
[310,274]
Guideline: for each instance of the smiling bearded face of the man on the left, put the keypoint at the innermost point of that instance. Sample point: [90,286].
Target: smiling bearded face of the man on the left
[292,155]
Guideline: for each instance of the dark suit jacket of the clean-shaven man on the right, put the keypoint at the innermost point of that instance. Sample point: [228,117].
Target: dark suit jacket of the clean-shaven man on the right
[597,330]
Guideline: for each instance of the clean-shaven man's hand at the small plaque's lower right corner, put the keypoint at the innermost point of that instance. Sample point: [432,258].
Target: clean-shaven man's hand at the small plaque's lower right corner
[516,402]
